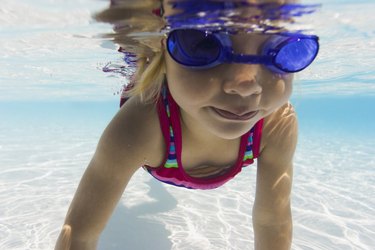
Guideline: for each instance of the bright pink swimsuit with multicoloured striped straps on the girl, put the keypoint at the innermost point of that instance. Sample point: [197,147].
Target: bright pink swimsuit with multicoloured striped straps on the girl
[171,170]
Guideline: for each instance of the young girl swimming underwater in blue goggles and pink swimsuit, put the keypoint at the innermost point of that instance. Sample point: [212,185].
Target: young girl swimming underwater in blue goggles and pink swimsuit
[205,106]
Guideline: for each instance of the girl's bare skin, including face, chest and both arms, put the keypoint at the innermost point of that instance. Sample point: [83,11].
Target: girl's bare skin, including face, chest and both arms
[134,138]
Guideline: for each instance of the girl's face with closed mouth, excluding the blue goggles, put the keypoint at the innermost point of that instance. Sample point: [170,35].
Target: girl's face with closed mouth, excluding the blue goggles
[247,92]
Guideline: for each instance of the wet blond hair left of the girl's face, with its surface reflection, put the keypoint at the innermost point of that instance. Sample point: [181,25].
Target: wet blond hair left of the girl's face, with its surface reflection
[127,17]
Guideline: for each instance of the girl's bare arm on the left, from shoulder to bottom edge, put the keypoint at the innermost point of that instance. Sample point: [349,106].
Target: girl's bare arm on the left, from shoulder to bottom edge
[132,139]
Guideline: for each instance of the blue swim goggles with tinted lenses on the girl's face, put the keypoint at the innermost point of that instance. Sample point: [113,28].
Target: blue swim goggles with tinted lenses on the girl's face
[281,53]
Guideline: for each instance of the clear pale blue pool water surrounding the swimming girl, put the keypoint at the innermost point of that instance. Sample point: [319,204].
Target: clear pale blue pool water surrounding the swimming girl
[55,102]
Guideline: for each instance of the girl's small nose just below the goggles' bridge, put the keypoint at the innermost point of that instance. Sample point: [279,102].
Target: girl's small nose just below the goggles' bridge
[242,80]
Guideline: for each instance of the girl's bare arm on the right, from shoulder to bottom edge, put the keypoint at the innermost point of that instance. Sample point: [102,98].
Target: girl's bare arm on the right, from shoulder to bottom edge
[272,220]
